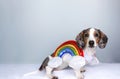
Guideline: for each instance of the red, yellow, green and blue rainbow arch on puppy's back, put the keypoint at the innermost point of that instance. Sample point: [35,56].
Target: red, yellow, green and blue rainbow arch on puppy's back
[68,47]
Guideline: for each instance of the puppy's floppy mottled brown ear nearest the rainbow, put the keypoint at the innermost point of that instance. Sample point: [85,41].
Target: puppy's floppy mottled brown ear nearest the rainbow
[80,40]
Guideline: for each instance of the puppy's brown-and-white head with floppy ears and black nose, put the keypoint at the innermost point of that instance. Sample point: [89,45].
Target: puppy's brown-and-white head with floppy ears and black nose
[91,38]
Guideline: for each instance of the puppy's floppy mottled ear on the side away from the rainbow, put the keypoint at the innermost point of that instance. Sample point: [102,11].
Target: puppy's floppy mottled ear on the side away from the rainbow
[103,40]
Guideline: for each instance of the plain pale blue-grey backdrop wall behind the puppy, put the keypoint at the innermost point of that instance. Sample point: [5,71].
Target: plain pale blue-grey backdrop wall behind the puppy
[30,30]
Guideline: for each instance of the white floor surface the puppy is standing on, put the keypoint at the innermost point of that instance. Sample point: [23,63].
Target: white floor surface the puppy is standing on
[16,71]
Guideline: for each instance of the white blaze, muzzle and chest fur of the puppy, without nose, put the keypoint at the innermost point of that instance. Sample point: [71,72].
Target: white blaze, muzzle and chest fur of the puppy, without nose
[89,53]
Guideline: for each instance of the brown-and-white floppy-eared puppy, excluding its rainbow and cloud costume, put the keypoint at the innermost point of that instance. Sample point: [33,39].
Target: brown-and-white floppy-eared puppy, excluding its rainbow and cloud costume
[87,40]
